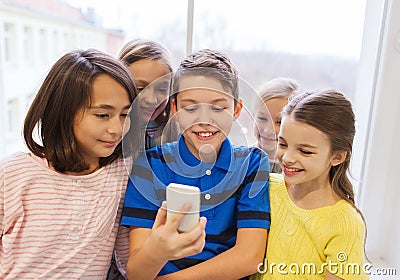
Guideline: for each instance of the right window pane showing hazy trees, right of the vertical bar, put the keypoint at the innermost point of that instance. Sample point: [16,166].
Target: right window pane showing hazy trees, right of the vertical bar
[315,42]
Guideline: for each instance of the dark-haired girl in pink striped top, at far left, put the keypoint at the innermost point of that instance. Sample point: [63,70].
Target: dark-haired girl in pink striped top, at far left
[60,204]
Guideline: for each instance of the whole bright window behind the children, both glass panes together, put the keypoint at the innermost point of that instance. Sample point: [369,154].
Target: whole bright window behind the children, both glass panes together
[315,42]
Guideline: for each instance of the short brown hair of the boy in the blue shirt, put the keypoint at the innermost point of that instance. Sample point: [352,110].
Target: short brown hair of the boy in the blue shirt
[208,63]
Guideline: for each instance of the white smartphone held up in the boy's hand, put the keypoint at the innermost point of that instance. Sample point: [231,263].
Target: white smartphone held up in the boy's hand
[177,195]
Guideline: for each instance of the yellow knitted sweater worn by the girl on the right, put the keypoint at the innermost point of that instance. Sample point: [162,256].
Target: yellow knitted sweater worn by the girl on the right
[304,244]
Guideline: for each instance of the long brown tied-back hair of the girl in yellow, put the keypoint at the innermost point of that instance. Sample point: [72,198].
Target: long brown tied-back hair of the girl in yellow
[330,112]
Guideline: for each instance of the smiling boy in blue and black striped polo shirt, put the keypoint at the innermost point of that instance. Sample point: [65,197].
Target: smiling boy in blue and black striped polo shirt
[233,183]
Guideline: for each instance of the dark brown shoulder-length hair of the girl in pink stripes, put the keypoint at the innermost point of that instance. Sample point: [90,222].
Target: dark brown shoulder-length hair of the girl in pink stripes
[67,89]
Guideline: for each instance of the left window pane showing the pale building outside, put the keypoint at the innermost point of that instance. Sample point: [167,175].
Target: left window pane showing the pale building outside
[37,33]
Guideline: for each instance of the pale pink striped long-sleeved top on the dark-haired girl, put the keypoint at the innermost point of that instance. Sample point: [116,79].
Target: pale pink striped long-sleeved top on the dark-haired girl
[58,226]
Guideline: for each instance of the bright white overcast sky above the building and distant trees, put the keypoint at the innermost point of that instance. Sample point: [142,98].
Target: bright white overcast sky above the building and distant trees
[307,26]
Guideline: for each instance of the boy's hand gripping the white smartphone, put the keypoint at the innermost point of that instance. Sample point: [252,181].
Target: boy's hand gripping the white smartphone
[168,243]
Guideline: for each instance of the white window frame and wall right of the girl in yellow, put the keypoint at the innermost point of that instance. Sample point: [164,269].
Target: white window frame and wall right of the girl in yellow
[379,130]
